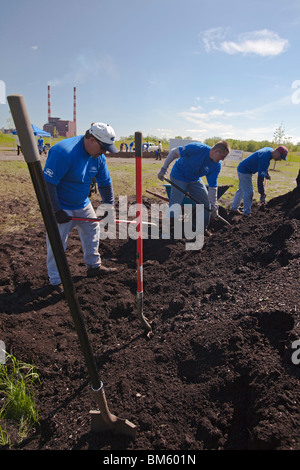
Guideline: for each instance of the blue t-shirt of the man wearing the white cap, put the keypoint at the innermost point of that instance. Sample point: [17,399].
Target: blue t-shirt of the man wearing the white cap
[71,169]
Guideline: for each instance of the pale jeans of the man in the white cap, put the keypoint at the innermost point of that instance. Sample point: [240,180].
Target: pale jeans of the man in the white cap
[89,233]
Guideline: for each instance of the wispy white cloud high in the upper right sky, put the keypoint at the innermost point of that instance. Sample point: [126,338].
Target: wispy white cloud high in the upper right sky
[264,43]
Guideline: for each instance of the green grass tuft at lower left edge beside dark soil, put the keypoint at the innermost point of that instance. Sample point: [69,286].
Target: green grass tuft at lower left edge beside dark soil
[17,380]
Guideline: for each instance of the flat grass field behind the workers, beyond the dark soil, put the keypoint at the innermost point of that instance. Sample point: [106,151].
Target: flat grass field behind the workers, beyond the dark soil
[16,187]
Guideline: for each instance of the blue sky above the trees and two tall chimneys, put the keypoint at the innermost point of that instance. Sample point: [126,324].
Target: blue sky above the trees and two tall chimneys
[164,67]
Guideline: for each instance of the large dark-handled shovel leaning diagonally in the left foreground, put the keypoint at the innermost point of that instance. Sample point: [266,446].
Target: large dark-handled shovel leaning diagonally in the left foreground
[103,419]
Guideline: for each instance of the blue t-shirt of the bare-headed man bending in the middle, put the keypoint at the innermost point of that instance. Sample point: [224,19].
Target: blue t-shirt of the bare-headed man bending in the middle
[195,162]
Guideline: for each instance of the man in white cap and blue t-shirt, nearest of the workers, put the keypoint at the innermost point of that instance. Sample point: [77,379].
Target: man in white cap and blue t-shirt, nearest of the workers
[71,166]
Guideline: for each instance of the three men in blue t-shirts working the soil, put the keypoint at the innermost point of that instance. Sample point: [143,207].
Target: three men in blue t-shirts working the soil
[74,163]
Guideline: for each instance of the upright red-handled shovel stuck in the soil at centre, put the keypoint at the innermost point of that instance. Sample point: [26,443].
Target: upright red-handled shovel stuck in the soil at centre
[139,218]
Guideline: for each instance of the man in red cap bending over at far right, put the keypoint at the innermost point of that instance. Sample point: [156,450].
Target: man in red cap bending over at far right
[258,162]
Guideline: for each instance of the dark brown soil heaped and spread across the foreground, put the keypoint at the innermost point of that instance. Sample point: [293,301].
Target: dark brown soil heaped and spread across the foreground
[217,372]
